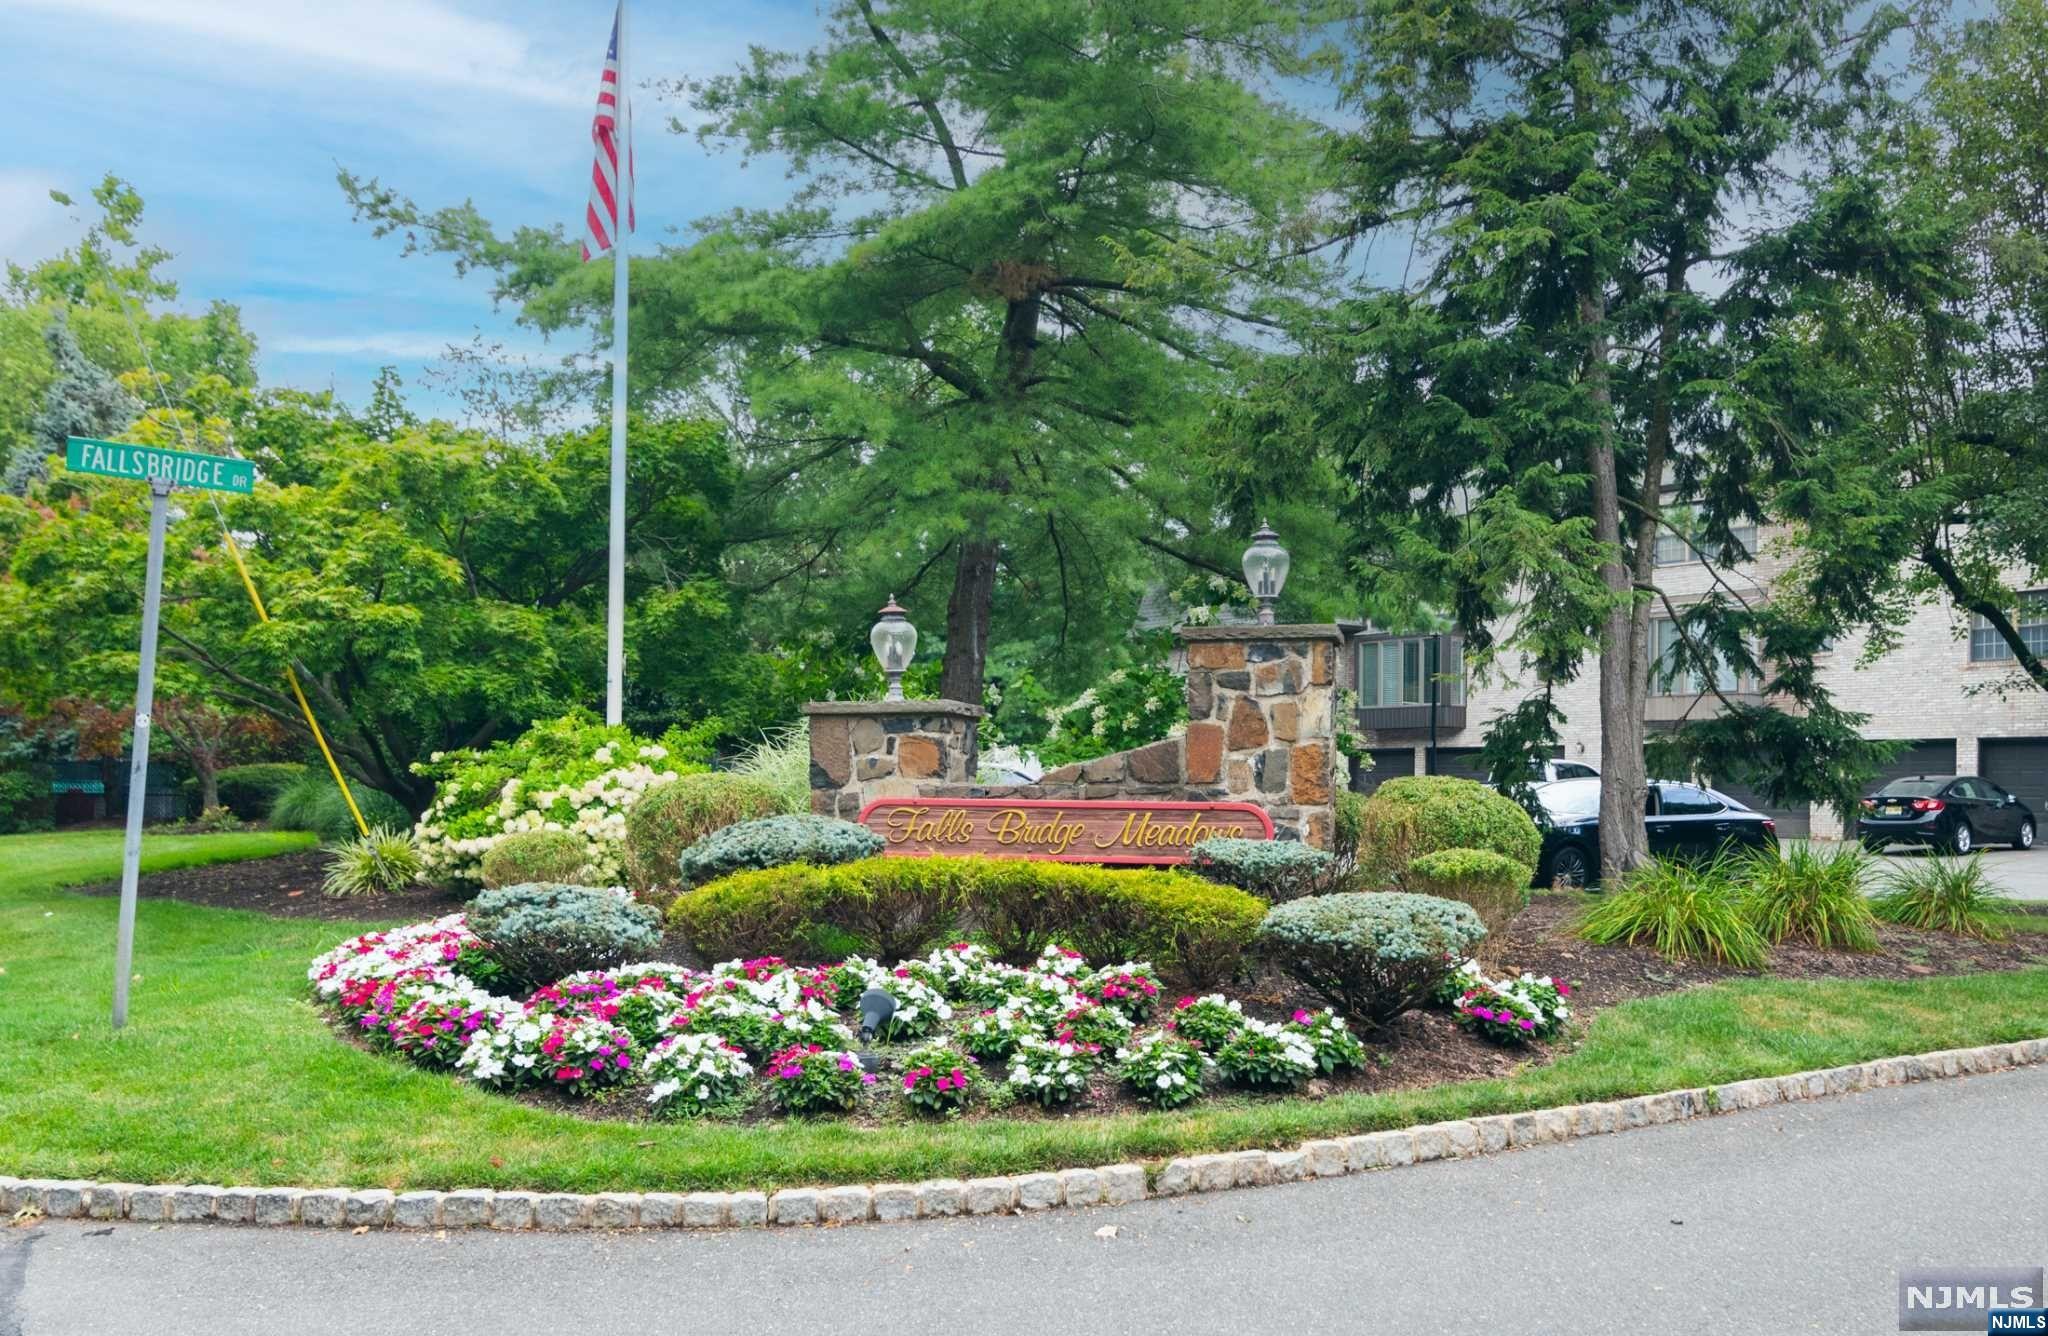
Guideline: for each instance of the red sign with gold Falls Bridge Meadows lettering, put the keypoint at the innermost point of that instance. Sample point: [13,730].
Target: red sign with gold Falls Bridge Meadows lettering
[1093,831]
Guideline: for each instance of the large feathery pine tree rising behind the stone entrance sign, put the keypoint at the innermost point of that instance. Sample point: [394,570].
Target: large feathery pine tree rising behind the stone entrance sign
[1029,249]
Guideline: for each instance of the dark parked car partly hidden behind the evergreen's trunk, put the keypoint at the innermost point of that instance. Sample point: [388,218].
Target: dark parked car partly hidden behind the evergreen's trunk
[1684,823]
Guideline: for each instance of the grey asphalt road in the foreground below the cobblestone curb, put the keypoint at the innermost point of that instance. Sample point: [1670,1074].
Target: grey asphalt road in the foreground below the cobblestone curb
[1783,1220]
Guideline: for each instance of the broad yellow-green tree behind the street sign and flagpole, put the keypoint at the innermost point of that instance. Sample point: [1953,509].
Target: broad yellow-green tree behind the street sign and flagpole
[433,589]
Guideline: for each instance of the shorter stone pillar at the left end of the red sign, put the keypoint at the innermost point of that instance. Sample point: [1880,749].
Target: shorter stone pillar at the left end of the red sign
[863,751]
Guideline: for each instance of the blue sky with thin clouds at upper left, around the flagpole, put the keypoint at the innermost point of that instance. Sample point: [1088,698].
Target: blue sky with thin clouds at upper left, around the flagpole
[232,116]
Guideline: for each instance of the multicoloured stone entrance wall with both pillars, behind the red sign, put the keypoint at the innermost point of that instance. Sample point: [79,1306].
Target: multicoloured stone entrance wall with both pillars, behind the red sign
[1261,730]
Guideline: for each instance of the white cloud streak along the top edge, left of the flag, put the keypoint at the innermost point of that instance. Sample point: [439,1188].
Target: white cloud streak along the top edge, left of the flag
[415,42]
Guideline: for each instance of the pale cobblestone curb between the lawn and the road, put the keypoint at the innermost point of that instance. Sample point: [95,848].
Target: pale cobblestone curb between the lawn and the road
[886,1202]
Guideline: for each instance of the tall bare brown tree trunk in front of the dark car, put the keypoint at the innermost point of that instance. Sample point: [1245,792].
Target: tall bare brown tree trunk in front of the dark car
[1623,667]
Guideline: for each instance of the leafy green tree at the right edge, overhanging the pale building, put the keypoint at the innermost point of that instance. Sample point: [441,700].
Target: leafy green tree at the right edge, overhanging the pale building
[1945,491]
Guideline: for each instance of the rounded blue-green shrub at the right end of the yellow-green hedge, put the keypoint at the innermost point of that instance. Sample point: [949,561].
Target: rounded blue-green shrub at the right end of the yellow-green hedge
[1371,956]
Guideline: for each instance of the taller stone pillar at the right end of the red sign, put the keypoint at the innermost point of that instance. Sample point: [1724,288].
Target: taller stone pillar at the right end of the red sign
[1263,722]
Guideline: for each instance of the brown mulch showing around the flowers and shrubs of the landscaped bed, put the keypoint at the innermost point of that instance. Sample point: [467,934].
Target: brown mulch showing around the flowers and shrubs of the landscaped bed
[1418,1050]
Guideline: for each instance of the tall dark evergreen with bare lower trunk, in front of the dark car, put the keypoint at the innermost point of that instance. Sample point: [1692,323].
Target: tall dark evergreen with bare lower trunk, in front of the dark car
[1592,323]
